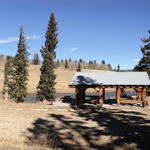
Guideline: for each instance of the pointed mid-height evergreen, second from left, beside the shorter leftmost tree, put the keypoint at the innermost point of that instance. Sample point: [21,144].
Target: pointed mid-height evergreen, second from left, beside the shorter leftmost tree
[20,71]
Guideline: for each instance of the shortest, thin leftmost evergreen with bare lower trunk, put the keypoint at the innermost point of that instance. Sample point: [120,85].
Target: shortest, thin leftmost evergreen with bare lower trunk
[8,72]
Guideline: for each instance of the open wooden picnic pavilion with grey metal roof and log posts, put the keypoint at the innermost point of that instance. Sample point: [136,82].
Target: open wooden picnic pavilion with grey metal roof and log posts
[139,81]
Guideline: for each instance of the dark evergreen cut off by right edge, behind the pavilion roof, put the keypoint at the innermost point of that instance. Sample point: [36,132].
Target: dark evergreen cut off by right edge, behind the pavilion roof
[144,63]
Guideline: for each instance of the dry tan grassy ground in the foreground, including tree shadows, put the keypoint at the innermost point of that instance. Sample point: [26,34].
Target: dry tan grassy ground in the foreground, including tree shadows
[59,126]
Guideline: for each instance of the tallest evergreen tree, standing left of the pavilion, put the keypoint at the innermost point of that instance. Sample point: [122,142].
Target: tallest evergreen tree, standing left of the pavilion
[45,88]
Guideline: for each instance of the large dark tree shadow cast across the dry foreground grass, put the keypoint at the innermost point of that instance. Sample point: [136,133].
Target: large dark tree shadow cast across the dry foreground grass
[112,129]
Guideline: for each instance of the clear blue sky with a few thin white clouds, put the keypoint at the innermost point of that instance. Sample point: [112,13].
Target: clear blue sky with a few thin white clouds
[98,30]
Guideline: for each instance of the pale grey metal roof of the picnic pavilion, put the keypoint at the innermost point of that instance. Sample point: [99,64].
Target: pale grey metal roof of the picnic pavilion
[111,78]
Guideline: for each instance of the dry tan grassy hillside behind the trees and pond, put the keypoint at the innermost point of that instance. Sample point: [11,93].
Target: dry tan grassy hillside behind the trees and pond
[64,77]
